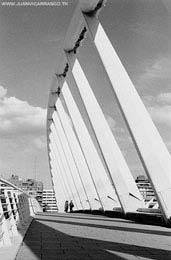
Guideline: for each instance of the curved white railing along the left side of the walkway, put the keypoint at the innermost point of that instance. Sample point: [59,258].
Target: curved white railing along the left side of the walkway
[16,212]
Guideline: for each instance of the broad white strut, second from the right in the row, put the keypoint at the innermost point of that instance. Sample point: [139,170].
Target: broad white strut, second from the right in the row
[120,175]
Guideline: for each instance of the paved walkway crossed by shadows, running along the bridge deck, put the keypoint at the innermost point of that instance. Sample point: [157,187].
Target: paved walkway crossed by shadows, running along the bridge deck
[87,237]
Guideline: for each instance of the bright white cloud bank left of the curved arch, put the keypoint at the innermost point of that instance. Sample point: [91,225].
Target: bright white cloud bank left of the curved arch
[22,126]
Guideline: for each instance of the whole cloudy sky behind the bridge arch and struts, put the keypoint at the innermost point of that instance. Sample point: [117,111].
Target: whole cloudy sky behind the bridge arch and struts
[30,46]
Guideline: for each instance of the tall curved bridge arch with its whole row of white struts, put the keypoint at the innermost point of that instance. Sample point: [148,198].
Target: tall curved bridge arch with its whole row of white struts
[86,162]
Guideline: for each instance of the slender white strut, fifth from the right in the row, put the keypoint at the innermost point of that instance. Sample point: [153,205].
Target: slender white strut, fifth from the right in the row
[70,160]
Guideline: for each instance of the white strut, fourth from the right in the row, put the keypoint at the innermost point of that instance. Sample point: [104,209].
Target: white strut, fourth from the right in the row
[78,154]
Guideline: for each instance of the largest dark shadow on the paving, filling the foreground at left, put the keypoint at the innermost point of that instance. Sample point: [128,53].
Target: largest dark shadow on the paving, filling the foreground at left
[44,242]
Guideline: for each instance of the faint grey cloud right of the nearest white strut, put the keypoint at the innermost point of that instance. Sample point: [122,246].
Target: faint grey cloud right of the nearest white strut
[157,89]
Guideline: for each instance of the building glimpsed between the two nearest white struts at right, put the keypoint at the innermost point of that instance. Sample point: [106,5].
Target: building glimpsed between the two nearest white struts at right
[145,188]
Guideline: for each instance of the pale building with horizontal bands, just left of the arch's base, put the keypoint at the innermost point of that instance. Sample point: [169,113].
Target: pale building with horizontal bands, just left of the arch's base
[49,201]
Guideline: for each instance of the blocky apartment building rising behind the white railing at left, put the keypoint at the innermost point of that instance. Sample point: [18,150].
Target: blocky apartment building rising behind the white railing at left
[30,186]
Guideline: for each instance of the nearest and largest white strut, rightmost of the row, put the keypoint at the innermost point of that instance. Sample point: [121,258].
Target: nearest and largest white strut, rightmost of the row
[153,152]
